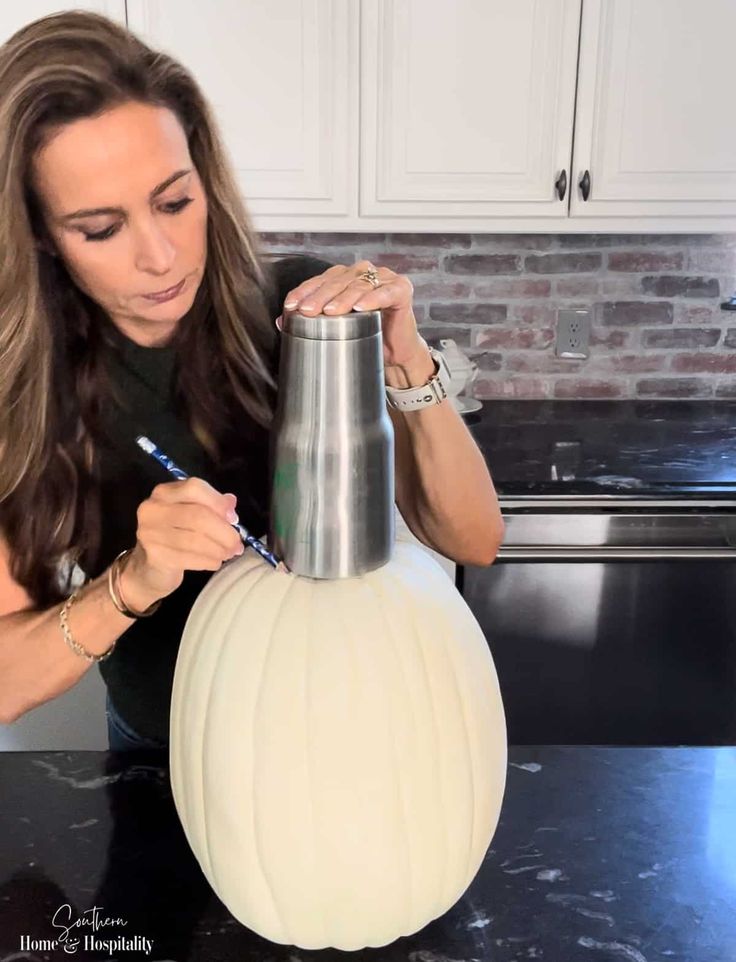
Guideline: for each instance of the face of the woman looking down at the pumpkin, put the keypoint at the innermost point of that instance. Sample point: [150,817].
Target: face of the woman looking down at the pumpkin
[148,243]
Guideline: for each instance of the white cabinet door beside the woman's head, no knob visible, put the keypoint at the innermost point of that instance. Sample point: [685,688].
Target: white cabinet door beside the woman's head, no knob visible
[282,78]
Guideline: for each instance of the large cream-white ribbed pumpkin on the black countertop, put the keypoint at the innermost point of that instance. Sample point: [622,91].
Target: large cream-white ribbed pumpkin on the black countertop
[337,748]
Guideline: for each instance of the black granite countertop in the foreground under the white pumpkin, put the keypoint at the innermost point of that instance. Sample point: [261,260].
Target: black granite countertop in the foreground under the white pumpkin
[601,855]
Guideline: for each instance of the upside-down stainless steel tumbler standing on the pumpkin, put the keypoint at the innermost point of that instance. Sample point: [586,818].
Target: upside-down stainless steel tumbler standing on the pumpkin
[332,448]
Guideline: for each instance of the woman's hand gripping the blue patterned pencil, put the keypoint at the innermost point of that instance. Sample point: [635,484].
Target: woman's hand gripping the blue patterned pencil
[183,525]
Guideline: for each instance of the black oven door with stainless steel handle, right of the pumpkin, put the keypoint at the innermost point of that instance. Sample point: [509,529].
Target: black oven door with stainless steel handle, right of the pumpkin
[613,623]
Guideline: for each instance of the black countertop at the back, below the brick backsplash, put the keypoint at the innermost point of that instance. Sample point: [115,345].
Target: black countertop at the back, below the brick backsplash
[604,447]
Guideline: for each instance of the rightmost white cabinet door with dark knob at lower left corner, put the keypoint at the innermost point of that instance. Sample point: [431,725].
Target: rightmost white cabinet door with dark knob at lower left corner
[653,125]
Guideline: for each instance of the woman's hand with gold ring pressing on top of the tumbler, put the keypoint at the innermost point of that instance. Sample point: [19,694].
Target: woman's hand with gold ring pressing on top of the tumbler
[340,290]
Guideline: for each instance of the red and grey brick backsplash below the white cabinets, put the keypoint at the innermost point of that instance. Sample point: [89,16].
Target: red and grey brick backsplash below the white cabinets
[658,328]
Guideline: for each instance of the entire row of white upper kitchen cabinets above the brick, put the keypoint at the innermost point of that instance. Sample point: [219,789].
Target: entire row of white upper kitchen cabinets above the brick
[460,115]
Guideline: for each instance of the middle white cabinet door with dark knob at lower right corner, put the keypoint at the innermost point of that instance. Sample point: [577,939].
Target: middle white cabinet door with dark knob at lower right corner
[467,106]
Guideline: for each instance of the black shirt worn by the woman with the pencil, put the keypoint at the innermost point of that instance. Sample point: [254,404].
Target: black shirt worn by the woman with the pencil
[139,673]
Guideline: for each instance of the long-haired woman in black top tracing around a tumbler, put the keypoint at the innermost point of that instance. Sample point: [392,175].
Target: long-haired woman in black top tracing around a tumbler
[115,186]
